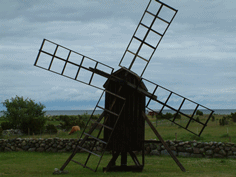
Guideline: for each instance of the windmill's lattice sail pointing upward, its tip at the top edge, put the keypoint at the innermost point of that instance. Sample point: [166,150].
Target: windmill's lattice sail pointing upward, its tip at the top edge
[152,27]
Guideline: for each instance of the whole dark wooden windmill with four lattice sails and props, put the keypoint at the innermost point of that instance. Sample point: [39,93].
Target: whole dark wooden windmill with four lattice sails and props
[122,122]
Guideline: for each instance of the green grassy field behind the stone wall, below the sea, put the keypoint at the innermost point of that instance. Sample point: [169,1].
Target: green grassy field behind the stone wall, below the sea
[213,131]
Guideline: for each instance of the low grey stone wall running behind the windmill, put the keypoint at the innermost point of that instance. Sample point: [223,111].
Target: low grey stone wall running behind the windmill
[179,148]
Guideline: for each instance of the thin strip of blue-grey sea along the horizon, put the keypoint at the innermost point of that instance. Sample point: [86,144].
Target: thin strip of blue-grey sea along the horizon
[81,112]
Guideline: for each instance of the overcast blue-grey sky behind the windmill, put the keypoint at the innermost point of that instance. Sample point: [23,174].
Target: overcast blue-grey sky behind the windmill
[196,57]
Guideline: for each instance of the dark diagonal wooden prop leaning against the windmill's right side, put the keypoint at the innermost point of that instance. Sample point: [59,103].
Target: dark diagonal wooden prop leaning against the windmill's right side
[164,144]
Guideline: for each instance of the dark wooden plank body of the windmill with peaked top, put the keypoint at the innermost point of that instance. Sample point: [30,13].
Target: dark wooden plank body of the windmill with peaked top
[128,136]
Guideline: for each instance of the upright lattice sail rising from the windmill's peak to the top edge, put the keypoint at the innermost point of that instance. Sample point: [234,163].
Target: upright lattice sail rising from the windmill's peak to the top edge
[139,48]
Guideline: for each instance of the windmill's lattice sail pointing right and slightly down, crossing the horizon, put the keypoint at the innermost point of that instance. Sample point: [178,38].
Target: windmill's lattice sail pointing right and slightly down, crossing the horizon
[177,103]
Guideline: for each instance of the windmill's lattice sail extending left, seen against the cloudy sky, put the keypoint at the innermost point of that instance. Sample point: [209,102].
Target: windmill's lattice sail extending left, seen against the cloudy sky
[68,63]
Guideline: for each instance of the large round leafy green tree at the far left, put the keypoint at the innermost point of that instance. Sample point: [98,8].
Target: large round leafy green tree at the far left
[24,114]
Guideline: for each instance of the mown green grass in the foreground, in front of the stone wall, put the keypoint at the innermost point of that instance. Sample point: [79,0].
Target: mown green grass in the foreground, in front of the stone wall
[43,164]
